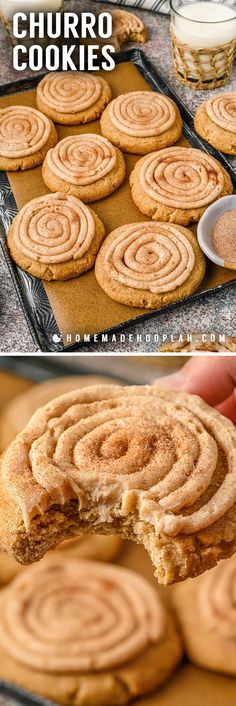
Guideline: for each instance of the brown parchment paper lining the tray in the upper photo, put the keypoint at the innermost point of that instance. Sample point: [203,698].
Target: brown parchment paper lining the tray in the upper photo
[80,306]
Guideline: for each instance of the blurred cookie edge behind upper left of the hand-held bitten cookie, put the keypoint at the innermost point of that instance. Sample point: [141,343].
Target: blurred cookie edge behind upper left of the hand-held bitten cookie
[18,411]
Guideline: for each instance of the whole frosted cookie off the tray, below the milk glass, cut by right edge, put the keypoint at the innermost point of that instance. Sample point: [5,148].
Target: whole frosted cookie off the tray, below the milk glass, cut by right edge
[215,121]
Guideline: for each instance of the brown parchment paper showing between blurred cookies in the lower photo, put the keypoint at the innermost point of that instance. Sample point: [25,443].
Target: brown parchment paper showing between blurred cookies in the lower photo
[189,685]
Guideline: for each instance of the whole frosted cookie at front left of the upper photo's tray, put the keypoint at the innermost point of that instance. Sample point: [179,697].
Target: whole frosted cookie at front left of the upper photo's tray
[55,237]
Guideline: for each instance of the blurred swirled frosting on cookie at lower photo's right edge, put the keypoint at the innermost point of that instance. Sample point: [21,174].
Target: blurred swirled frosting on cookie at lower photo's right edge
[217,598]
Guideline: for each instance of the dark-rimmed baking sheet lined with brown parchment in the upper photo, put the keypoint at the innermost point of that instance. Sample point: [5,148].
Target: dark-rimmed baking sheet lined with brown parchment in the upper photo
[80,306]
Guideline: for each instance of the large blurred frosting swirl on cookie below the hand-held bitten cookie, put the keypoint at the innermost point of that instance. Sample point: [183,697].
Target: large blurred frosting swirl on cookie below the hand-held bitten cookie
[79,616]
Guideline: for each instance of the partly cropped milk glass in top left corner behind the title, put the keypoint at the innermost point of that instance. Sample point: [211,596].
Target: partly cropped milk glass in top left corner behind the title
[9,7]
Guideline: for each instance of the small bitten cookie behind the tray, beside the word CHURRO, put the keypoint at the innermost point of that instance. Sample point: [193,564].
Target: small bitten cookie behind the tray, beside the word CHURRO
[127,27]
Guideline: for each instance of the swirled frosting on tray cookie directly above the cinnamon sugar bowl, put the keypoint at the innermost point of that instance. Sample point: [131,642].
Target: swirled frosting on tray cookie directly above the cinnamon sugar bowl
[181,177]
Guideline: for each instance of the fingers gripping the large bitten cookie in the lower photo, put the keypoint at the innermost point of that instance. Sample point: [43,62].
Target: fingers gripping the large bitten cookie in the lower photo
[212,378]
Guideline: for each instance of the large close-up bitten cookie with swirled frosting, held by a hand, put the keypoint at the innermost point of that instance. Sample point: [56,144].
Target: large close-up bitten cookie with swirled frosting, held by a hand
[153,465]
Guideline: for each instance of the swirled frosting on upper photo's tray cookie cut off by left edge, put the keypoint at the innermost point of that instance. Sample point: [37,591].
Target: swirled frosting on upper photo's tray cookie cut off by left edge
[23,131]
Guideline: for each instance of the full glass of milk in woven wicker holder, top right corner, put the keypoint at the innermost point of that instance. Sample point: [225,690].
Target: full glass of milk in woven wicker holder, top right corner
[198,26]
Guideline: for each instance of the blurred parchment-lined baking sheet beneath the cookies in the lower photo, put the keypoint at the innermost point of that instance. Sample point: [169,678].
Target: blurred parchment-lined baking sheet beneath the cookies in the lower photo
[189,684]
